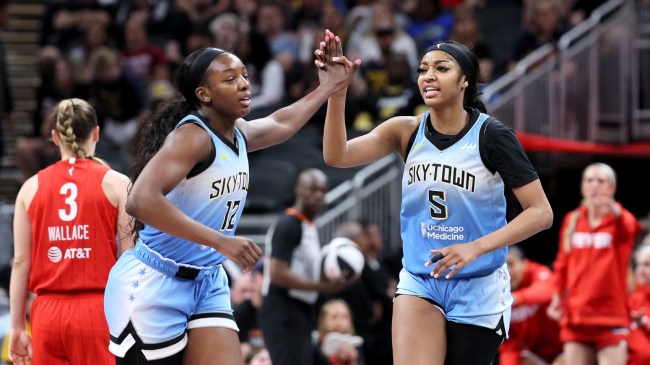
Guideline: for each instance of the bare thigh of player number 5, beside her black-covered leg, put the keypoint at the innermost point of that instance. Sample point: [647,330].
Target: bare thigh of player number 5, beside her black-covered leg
[419,335]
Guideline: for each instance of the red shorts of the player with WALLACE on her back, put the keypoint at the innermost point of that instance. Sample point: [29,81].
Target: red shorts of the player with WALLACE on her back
[70,329]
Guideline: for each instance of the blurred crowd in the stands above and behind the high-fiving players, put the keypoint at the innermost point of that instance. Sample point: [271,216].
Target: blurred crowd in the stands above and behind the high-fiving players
[121,54]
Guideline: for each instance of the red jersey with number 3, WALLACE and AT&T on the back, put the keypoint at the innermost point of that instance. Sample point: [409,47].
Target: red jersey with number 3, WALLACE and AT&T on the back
[74,227]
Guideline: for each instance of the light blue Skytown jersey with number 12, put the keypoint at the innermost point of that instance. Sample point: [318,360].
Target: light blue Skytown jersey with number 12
[214,197]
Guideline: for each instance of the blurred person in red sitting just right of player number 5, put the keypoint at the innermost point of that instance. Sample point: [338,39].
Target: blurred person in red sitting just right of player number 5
[533,336]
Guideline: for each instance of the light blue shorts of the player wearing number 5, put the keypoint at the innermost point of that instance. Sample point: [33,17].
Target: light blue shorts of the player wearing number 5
[480,301]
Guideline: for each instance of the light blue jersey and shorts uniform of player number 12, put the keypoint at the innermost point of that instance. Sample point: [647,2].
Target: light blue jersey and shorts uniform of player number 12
[142,303]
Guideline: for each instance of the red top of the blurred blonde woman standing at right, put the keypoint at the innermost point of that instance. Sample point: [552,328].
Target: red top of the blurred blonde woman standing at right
[591,268]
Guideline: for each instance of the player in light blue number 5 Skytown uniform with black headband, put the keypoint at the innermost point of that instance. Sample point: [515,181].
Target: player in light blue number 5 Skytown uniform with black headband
[453,300]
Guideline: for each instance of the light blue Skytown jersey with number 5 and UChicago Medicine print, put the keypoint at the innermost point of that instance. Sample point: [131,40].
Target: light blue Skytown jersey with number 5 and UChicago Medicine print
[450,197]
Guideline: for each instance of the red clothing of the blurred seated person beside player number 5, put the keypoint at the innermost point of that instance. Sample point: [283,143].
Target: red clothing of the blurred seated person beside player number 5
[530,328]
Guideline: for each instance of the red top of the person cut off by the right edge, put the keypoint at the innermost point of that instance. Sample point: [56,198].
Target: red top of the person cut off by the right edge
[639,337]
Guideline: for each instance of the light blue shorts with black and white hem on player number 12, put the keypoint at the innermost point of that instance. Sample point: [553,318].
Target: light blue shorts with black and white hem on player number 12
[151,302]
